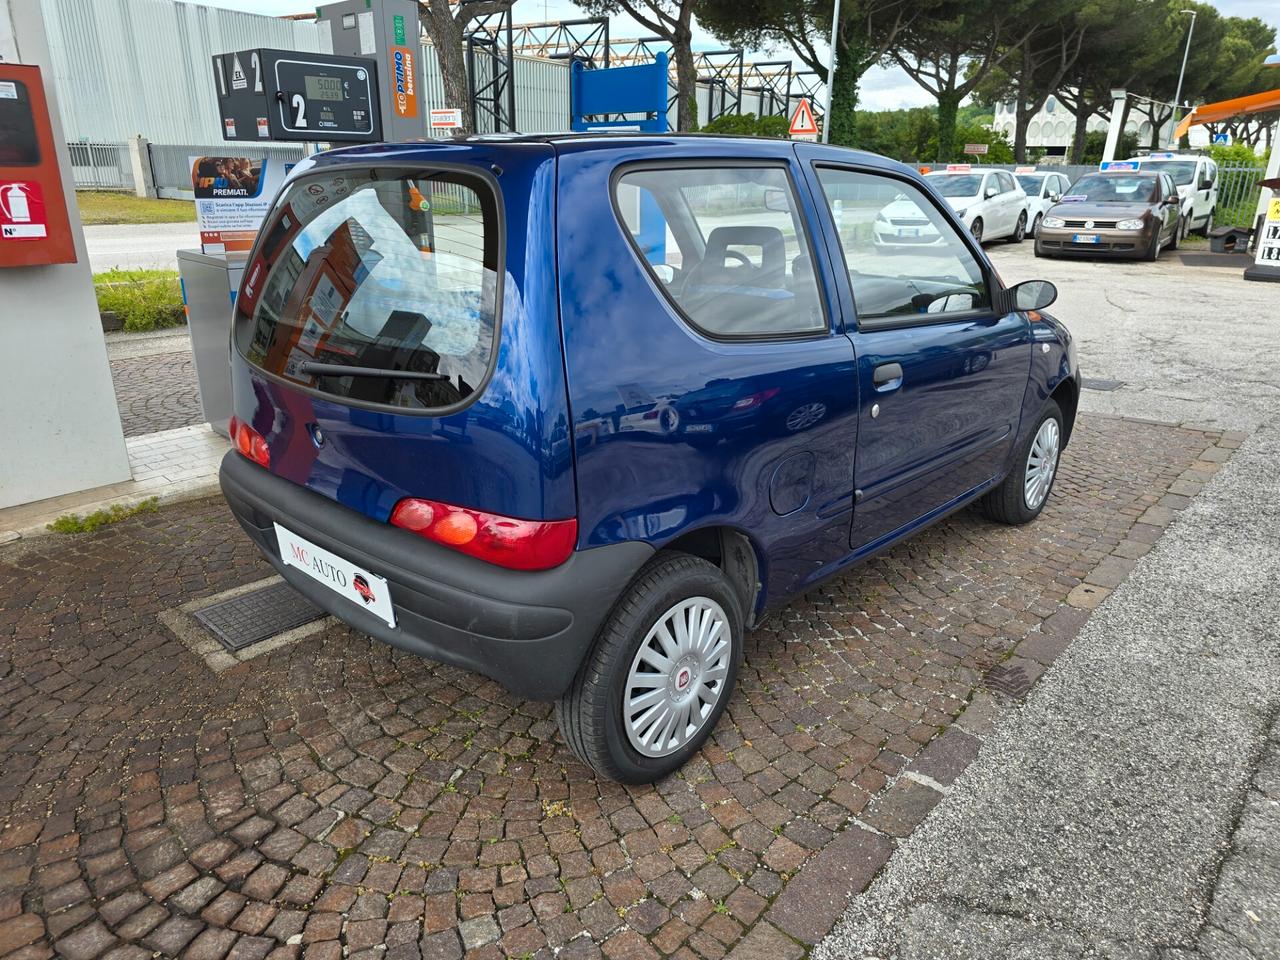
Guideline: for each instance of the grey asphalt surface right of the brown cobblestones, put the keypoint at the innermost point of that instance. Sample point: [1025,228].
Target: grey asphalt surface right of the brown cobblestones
[1132,807]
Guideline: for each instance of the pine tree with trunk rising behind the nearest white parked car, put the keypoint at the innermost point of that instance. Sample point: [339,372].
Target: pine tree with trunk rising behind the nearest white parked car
[952,52]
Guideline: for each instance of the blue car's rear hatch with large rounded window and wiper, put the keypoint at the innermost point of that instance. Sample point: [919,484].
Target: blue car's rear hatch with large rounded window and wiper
[396,335]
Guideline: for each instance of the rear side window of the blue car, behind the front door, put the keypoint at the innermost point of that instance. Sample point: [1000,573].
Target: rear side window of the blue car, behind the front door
[726,245]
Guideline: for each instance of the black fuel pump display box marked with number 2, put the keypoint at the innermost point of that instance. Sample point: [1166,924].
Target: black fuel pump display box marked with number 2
[266,95]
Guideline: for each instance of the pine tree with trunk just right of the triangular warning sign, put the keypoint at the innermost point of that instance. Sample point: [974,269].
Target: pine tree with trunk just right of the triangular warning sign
[868,30]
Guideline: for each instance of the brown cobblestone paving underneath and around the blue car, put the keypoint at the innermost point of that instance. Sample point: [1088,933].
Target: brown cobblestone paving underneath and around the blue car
[337,798]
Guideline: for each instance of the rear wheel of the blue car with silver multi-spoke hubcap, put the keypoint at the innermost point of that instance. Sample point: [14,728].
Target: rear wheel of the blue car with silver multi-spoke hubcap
[593,715]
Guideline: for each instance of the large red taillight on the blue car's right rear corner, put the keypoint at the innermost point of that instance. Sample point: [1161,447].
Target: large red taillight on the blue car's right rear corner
[518,545]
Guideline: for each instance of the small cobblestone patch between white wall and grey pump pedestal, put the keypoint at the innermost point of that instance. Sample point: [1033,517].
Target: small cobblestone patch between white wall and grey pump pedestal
[157,394]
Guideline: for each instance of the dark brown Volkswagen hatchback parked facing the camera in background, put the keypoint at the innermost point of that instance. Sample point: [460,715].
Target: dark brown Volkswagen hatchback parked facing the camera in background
[1132,214]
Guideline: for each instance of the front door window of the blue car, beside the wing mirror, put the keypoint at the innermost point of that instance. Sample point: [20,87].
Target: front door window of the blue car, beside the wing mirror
[934,273]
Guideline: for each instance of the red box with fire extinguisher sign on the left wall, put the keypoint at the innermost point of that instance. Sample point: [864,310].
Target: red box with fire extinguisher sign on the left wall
[35,230]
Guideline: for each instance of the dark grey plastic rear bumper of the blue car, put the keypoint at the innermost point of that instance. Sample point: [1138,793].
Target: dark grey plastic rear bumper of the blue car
[527,630]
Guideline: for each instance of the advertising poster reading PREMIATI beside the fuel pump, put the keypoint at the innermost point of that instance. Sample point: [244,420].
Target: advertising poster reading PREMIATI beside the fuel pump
[234,195]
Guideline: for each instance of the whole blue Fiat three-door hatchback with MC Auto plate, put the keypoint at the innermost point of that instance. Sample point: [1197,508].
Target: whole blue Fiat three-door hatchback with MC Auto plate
[574,413]
